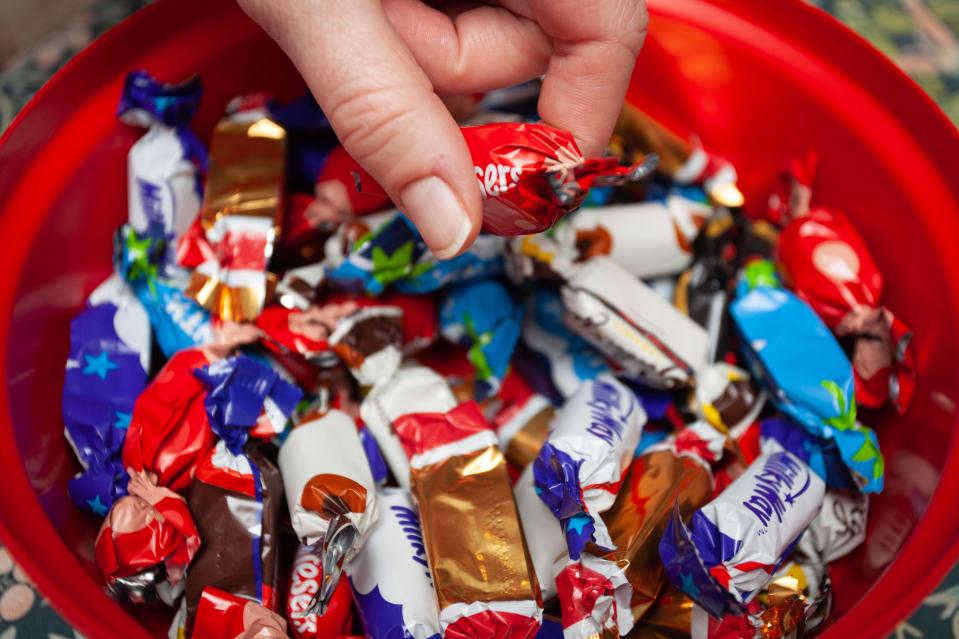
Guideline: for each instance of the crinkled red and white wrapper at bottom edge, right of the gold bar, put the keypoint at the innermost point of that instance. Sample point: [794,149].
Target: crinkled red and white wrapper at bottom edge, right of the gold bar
[594,598]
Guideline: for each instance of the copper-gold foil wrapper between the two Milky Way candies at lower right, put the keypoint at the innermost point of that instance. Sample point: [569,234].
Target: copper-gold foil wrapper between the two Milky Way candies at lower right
[656,483]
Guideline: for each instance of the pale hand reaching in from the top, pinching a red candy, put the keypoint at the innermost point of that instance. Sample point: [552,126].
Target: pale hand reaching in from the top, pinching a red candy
[379,67]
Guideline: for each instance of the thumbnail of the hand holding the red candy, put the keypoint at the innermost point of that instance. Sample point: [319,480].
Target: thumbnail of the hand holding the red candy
[438,214]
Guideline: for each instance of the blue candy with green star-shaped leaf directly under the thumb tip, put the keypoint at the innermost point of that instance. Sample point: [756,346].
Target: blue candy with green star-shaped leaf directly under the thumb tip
[395,256]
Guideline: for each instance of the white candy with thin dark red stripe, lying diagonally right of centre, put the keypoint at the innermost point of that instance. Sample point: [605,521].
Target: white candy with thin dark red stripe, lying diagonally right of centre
[636,328]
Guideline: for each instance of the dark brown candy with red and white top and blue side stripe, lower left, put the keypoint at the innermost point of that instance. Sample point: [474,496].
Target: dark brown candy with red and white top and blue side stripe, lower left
[229,508]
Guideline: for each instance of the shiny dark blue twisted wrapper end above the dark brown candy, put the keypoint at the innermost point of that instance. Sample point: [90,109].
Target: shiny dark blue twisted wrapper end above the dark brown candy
[239,391]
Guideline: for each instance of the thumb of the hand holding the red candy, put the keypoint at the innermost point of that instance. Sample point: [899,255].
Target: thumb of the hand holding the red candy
[382,106]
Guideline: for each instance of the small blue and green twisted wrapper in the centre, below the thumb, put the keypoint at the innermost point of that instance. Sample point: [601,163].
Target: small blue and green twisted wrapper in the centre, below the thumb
[483,316]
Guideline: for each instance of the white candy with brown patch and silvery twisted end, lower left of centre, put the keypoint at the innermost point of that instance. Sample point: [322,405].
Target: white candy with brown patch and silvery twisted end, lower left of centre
[330,492]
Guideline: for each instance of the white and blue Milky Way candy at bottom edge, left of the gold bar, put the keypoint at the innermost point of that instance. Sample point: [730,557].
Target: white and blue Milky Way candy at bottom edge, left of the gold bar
[391,577]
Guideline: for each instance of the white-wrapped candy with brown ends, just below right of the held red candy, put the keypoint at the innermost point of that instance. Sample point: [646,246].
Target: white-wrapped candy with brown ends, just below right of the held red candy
[664,246]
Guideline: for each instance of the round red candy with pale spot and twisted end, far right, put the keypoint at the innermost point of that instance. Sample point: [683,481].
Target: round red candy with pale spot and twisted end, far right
[826,262]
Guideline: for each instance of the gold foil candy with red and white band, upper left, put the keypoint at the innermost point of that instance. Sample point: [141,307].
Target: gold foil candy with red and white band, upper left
[241,216]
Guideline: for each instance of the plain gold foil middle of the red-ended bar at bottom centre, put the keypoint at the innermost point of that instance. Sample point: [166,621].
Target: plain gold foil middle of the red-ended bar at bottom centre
[471,530]
